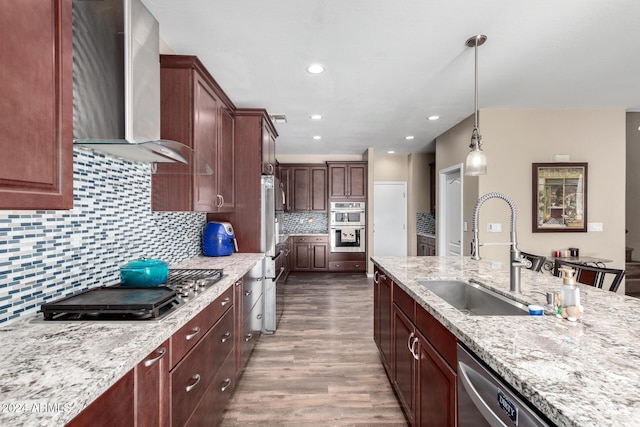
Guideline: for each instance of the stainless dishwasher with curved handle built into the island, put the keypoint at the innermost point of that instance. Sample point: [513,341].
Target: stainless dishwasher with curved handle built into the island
[484,400]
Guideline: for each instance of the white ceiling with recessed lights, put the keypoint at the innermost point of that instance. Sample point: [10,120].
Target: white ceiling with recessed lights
[391,64]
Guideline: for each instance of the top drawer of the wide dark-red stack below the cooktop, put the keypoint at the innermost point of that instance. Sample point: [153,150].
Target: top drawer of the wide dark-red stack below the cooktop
[189,335]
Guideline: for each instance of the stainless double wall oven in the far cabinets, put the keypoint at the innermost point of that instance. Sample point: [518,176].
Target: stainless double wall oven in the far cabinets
[347,231]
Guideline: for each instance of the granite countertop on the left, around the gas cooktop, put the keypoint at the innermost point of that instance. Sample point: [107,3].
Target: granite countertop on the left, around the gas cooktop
[52,370]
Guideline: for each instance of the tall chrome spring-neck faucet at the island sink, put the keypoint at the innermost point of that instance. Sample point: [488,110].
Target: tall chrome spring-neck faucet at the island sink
[515,261]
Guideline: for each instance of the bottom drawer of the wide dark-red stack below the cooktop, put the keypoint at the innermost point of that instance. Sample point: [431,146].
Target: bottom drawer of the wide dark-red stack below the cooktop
[210,409]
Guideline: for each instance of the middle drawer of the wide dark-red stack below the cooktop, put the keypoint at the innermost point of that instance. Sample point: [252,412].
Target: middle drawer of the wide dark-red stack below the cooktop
[192,376]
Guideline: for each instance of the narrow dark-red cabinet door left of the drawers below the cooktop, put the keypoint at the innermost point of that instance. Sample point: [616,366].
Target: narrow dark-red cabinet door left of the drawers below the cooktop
[152,396]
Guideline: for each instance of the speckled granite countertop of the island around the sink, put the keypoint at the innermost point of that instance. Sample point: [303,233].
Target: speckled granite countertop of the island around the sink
[585,373]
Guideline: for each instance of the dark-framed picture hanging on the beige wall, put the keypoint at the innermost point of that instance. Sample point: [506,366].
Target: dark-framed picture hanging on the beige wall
[559,201]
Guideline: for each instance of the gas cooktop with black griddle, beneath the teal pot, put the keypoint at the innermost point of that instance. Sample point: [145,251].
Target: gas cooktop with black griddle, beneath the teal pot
[133,303]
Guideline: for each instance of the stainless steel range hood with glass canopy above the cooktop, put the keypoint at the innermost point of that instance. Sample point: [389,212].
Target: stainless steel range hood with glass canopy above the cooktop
[116,85]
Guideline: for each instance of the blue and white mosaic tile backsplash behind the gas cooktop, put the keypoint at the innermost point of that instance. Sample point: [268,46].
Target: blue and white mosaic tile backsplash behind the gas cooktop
[45,255]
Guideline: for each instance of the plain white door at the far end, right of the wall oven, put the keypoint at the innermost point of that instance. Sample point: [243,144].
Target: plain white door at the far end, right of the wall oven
[390,219]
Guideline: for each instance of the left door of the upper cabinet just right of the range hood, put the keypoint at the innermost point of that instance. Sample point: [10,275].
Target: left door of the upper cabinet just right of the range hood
[205,141]
